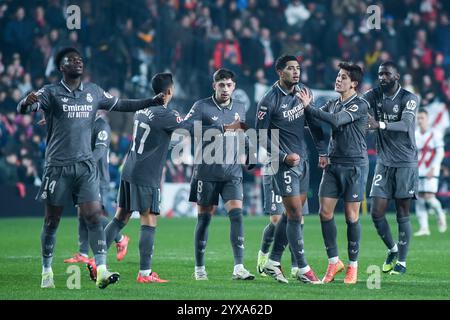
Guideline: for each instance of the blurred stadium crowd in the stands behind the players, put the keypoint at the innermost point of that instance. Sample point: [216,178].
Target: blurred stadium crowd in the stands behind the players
[125,43]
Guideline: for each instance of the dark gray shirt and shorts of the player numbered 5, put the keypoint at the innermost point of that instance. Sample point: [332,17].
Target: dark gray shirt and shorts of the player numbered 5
[283,113]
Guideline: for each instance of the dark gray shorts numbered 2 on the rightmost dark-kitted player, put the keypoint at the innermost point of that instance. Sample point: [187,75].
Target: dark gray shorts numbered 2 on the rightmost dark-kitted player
[394,183]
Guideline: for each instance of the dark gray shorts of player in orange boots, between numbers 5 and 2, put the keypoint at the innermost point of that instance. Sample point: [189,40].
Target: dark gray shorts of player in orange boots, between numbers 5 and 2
[344,181]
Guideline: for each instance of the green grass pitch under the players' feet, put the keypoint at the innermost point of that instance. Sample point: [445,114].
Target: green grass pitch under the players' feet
[428,274]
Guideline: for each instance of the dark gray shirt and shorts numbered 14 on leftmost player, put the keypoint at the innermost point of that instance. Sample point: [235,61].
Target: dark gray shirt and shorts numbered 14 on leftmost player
[70,174]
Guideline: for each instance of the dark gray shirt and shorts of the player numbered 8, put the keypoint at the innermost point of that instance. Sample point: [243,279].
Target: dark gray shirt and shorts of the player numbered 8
[223,177]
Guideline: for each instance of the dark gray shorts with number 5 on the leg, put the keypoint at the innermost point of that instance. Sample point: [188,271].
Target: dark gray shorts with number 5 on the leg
[292,181]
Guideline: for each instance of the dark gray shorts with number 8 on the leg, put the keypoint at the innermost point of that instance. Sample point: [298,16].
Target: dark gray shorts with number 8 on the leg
[206,193]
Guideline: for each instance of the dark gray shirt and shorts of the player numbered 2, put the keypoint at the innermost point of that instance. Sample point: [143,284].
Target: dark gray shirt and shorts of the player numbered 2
[396,172]
